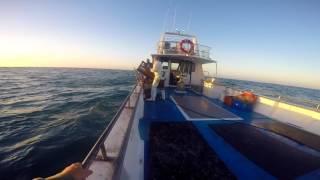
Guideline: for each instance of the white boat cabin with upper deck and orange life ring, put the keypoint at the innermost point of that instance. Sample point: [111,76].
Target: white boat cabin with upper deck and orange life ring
[182,57]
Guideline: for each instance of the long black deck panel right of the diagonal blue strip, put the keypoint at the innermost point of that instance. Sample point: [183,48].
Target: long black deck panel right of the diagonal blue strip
[277,158]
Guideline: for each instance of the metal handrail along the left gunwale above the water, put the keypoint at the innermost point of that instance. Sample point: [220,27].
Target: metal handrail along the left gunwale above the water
[95,149]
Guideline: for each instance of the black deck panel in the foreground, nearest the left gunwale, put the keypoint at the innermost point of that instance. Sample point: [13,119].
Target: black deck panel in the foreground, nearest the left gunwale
[176,150]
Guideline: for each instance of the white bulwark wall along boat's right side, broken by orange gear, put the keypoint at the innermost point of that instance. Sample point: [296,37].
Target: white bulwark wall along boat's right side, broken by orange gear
[275,108]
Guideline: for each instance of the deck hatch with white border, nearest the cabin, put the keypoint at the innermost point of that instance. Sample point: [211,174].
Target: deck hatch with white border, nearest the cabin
[200,108]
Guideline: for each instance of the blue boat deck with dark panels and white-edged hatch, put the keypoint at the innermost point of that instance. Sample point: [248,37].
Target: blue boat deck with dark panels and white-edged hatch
[189,135]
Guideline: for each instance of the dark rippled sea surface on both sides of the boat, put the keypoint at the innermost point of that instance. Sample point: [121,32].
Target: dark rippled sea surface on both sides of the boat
[51,117]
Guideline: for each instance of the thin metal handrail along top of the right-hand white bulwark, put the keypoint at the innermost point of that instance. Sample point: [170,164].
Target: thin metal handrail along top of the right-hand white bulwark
[317,108]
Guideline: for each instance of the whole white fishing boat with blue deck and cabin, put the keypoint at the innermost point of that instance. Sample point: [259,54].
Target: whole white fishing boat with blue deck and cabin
[203,129]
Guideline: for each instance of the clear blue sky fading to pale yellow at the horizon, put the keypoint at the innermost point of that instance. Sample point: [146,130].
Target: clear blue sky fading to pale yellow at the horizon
[258,40]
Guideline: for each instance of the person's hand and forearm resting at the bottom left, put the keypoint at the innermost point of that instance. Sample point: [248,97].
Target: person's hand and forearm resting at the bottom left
[72,172]
